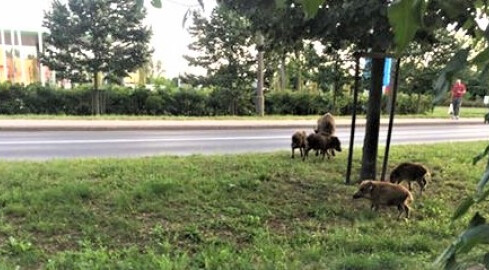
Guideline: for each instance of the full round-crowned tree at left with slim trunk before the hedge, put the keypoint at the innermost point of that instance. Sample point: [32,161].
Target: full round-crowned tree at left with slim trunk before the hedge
[90,37]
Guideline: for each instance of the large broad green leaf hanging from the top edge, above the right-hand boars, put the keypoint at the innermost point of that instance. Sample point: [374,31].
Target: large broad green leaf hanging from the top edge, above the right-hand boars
[406,17]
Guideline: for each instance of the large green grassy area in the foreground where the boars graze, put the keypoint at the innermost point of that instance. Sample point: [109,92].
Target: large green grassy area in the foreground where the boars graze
[256,211]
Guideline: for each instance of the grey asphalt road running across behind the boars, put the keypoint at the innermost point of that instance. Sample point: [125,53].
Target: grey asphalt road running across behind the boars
[75,144]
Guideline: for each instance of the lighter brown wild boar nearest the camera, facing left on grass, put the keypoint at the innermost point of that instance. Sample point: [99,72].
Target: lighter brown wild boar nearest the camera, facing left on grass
[385,194]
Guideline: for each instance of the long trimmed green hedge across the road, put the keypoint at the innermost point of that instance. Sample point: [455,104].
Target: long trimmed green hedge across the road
[37,99]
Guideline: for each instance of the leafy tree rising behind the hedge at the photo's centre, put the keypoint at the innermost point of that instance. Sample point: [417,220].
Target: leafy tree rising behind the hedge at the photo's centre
[222,47]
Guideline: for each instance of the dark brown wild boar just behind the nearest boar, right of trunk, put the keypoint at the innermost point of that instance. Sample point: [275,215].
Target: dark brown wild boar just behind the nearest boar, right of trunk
[411,172]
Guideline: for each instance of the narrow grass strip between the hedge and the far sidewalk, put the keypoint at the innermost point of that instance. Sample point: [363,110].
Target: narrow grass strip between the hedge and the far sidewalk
[438,112]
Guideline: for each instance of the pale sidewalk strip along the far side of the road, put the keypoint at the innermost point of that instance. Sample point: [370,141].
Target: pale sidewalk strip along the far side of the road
[101,125]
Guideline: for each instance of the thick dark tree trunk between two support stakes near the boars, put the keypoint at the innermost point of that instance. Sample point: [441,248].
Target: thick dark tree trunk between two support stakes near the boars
[371,141]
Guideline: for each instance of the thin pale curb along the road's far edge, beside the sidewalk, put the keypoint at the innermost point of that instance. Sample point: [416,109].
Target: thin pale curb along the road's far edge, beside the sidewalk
[212,126]
